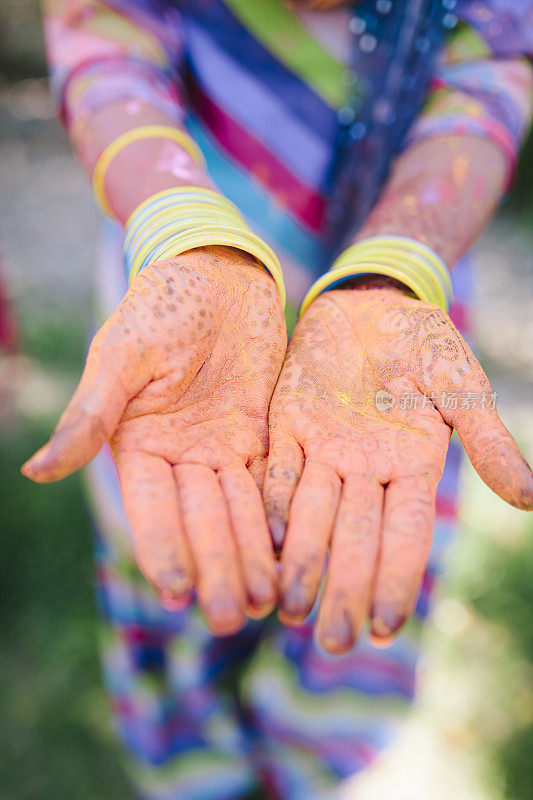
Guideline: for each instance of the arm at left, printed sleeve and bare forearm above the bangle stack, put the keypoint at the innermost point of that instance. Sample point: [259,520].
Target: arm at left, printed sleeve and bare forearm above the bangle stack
[115,67]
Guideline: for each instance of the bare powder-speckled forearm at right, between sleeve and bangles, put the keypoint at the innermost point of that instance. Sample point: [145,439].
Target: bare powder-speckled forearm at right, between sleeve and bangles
[442,192]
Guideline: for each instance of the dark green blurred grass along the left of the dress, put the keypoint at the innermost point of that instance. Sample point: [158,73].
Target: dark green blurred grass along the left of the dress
[55,736]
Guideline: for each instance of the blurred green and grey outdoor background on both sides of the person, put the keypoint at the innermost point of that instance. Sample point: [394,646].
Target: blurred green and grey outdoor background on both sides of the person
[472,736]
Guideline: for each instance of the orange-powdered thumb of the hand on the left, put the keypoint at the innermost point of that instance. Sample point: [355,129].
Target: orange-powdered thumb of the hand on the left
[112,376]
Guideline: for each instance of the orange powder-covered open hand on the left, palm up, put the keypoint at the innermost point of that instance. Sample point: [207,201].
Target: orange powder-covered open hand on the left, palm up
[179,381]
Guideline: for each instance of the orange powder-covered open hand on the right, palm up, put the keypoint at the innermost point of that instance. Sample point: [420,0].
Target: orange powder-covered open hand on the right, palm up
[372,385]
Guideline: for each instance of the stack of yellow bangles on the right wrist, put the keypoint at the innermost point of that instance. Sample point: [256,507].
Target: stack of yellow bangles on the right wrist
[406,260]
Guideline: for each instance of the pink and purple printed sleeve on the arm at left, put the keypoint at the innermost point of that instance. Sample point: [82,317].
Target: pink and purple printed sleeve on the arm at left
[100,53]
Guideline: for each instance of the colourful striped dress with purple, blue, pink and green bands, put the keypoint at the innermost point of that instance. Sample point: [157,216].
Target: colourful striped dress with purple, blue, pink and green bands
[280,101]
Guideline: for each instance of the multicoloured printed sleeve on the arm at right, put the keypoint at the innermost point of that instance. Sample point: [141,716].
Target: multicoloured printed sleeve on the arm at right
[483,81]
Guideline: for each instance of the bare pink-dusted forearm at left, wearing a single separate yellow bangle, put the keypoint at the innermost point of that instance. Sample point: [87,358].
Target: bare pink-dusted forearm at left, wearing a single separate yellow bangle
[141,168]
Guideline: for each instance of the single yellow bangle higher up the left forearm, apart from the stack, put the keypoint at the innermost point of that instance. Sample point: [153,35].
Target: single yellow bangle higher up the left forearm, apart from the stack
[135,135]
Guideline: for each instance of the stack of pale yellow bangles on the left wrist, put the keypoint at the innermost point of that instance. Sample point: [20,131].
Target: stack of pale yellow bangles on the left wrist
[176,220]
